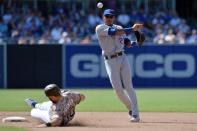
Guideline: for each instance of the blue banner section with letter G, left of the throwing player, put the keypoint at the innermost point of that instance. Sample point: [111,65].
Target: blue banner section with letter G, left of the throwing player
[85,67]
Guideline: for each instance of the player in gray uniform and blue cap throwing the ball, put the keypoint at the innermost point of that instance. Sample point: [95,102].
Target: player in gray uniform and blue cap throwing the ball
[112,39]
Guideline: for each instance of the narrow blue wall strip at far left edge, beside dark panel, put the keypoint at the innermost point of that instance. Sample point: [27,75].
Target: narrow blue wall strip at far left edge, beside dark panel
[1,66]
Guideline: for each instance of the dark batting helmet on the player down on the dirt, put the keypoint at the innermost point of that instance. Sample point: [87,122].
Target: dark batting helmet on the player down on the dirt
[52,90]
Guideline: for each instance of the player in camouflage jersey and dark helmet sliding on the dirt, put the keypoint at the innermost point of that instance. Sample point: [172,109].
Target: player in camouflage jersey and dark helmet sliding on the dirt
[59,110]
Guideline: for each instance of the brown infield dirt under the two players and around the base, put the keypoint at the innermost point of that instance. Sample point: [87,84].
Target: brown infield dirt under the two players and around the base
[113,121]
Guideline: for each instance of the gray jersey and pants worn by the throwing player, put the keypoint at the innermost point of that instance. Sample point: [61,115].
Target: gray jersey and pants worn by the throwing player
[117,66]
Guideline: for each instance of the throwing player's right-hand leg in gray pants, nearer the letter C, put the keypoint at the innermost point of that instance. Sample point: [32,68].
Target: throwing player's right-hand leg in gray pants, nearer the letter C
[128,85]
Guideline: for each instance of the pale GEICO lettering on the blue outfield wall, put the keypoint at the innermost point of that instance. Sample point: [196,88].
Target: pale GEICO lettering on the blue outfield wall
[92,65]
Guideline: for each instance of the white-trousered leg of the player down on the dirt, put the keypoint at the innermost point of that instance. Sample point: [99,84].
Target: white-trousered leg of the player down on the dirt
[42,115]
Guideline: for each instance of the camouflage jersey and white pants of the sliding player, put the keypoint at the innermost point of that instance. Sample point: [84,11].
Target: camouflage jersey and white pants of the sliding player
[59,113]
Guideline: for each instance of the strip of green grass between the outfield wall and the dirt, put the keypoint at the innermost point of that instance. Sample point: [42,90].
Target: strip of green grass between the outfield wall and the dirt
[101,100]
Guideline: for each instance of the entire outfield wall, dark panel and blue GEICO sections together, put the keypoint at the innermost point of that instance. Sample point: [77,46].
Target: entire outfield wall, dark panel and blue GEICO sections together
[77,66]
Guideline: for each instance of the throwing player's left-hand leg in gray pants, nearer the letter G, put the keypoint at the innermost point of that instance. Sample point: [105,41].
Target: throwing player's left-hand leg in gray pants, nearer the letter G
[113,71]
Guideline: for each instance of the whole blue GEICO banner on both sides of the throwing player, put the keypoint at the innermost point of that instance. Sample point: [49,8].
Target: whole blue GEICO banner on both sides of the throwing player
[152,66]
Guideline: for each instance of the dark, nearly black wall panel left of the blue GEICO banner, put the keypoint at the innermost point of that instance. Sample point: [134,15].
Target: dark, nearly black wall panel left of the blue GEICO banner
[33,66]
